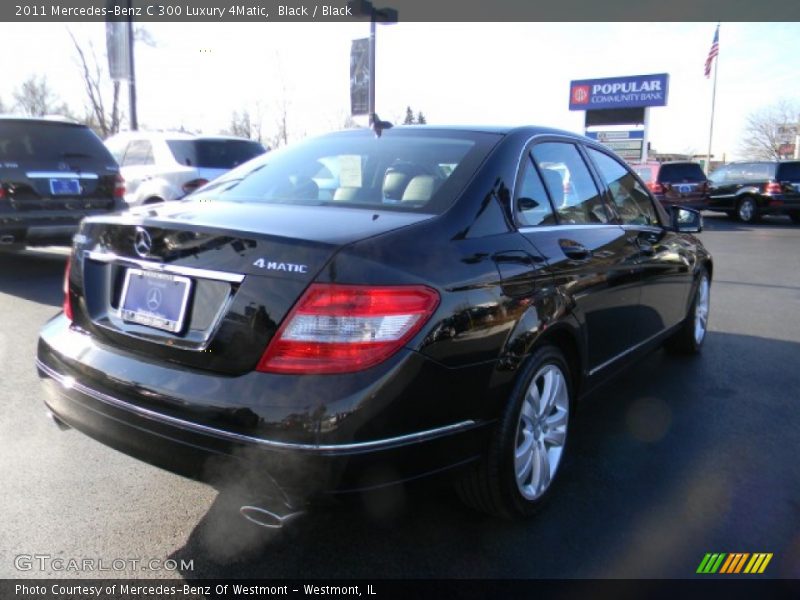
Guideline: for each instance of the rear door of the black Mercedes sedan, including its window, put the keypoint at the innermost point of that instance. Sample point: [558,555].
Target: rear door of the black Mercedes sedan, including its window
[588,255]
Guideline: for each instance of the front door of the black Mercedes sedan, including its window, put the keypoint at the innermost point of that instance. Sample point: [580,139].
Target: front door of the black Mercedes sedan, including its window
[662,255]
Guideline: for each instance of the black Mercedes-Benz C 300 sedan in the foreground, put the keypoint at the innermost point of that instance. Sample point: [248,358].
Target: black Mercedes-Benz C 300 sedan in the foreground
[354,311]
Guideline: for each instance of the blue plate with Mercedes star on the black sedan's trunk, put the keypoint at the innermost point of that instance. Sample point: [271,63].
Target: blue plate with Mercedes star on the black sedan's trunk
[155,299]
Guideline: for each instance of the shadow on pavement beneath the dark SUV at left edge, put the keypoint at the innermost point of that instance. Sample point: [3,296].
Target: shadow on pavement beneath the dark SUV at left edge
[35,276]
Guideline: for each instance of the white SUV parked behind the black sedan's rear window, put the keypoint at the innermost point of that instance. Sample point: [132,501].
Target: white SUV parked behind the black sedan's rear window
[160,166]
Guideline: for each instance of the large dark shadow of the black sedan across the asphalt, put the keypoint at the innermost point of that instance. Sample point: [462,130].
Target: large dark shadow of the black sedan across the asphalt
[677,457]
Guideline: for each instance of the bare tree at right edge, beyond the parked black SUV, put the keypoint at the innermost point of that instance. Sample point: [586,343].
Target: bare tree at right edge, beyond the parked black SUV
[770,129]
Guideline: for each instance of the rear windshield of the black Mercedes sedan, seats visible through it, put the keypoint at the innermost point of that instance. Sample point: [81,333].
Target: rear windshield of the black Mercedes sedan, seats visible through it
[402,170]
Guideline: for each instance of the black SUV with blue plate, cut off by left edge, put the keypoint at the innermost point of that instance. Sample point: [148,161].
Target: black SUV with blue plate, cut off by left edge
[52,174]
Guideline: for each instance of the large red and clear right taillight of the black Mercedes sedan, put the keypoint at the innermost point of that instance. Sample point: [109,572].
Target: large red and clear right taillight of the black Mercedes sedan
[343,328]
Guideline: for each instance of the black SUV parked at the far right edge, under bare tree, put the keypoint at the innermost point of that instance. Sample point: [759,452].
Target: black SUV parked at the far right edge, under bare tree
[748,190]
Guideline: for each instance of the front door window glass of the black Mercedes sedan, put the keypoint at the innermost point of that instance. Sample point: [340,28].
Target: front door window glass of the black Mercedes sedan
[632,202]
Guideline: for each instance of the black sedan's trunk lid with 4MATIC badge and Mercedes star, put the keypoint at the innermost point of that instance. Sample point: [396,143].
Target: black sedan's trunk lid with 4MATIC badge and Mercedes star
[207,284]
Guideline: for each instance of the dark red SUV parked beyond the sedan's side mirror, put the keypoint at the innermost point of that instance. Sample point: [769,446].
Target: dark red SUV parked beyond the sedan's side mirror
[676,182]
